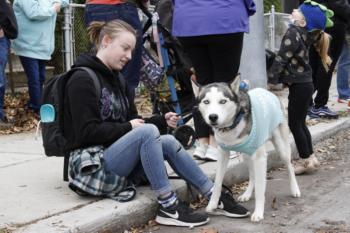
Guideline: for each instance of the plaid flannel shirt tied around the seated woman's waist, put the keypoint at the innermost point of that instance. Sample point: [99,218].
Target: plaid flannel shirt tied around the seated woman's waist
[87,173]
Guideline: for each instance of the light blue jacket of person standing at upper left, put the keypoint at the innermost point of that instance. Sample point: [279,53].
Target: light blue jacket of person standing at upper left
[36,28]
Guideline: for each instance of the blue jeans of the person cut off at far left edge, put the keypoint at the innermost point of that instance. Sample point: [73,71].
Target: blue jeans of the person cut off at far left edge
[4,48]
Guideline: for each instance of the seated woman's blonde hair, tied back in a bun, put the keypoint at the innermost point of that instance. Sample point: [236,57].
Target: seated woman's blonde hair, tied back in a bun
[98,29]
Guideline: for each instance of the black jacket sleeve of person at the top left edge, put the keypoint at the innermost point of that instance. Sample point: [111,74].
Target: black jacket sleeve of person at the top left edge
[8,21]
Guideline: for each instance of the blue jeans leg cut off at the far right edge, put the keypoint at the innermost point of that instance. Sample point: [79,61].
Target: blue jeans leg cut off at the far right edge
[344,73]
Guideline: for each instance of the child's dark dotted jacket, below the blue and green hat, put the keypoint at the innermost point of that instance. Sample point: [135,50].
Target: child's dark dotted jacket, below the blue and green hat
[291,65]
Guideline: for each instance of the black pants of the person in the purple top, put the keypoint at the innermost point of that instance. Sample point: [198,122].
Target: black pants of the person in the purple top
[215,58]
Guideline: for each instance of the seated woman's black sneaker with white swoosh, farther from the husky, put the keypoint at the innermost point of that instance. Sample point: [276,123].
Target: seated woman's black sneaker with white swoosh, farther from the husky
[180,214]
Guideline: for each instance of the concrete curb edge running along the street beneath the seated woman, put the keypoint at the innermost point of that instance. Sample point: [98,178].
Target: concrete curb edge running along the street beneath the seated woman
[105,215]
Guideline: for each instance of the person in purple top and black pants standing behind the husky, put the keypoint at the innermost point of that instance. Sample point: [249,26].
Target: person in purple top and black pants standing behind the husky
[212,35]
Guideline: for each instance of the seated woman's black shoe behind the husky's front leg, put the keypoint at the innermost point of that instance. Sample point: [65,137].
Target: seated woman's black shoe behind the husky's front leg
[229,207]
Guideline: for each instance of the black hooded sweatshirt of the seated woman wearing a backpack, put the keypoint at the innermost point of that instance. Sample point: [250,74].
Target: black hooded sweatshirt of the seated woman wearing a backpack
[90,121]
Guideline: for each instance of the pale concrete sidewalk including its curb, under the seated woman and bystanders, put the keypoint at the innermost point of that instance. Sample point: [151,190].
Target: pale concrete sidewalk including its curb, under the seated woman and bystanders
[34,198]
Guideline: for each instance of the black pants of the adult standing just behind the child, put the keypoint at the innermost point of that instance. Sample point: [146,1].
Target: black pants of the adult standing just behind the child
[321,78]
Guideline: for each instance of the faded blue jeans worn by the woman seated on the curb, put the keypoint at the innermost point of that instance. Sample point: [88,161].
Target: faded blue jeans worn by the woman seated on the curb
[145,144]
